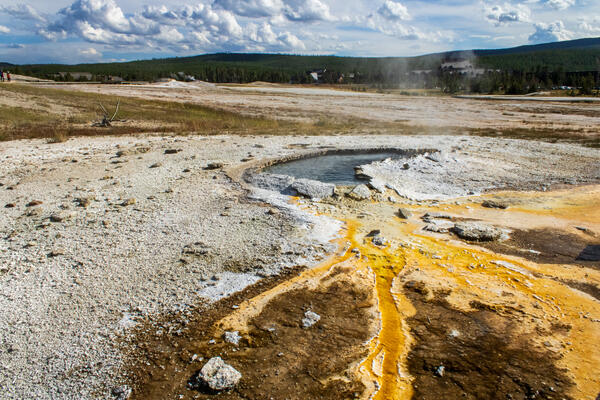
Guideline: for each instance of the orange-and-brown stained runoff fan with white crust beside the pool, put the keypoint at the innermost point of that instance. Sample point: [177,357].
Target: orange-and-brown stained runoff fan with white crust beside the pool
[458,292]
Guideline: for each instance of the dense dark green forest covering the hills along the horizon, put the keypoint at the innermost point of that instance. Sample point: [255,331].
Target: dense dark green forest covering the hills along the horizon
[574,65]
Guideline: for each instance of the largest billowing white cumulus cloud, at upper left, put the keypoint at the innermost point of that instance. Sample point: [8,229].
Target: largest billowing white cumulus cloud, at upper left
[181,28]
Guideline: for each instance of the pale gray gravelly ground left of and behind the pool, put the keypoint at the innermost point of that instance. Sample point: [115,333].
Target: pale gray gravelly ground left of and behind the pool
[114,241]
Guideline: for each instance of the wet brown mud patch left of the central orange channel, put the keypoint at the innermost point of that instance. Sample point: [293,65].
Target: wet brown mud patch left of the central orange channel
[278,357]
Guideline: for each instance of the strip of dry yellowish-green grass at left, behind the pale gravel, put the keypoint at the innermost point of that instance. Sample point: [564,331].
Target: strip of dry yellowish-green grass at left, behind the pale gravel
[138,116]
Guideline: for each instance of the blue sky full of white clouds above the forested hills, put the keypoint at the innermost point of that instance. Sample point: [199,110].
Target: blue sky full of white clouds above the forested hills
[81,31]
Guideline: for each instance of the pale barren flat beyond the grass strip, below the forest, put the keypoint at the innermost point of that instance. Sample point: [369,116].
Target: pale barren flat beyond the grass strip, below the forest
[437,114]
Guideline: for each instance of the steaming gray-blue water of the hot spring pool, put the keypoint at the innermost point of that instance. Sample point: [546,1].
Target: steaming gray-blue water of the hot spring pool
[330,168]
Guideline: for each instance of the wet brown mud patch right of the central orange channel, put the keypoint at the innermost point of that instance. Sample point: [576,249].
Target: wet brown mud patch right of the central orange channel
[475,355]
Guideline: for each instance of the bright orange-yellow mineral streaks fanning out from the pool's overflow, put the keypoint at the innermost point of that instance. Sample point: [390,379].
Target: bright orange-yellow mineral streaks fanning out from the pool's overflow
[473,275]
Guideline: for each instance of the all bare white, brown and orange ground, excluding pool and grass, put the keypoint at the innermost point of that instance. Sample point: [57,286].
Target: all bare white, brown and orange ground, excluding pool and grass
[124,259]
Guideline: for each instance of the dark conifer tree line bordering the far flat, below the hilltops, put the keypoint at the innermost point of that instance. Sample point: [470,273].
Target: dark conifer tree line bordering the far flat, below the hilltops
[378,73]
